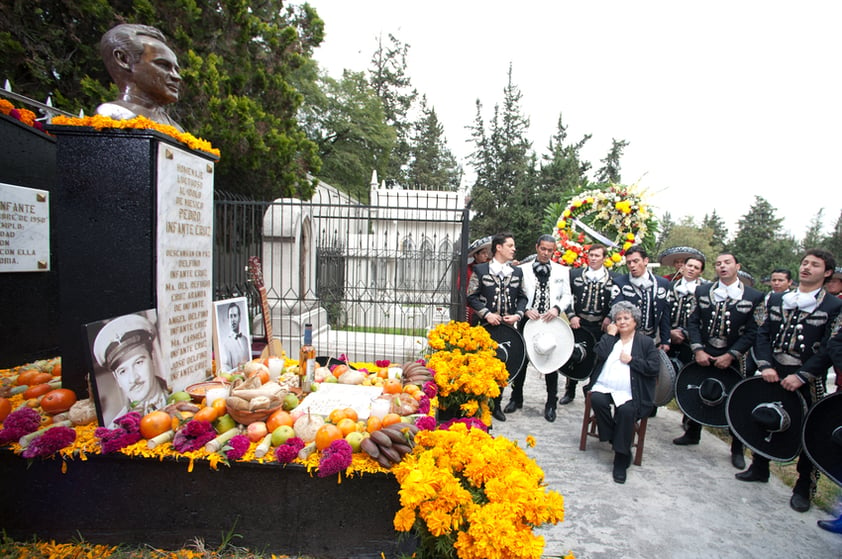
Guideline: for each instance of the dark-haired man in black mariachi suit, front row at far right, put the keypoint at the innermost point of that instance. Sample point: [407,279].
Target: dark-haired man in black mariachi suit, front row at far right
[791,348]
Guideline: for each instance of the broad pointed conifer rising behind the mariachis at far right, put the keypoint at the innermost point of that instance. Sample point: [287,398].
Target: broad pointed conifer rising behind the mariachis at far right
[759,243]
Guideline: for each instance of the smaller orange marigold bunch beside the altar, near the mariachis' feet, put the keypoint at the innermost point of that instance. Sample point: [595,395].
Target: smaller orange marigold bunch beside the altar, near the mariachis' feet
[467,371]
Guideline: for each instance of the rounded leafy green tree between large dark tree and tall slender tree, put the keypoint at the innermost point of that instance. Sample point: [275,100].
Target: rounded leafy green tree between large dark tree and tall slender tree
[345,120]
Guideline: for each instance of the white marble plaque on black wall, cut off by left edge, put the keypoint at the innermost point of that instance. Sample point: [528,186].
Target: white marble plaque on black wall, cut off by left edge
[24,229]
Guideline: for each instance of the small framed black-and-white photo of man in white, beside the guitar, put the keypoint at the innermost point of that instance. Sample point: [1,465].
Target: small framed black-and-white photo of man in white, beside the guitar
[231,334]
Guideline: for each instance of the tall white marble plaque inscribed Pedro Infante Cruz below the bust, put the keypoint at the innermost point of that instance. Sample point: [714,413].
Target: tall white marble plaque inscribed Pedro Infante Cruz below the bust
[185,263]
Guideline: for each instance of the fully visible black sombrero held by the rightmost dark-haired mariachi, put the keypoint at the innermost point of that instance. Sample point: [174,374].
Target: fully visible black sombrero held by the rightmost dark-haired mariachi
[767,418]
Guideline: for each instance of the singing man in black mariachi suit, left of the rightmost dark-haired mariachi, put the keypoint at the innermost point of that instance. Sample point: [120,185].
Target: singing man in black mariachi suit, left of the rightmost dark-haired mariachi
[722,329]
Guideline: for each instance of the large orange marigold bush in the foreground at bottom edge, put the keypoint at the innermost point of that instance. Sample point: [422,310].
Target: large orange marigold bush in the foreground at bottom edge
[469,495]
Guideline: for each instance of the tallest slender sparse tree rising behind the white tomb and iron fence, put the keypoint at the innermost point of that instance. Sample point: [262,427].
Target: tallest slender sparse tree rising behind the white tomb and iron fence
[393,86]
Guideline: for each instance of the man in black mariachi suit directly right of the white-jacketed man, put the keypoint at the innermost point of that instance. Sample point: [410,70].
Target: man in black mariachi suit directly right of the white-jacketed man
[591,289]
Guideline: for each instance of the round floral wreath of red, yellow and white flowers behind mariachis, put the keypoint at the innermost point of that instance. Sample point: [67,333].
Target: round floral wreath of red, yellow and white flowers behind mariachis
[616,211]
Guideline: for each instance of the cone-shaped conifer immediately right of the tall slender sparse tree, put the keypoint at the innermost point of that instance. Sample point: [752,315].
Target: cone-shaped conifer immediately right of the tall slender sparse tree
[432,165]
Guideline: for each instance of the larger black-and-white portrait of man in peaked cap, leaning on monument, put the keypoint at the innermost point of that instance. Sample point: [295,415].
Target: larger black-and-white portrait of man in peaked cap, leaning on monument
[129,370]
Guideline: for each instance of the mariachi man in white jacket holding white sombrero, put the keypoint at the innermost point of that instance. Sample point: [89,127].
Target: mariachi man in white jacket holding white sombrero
[547,287]
